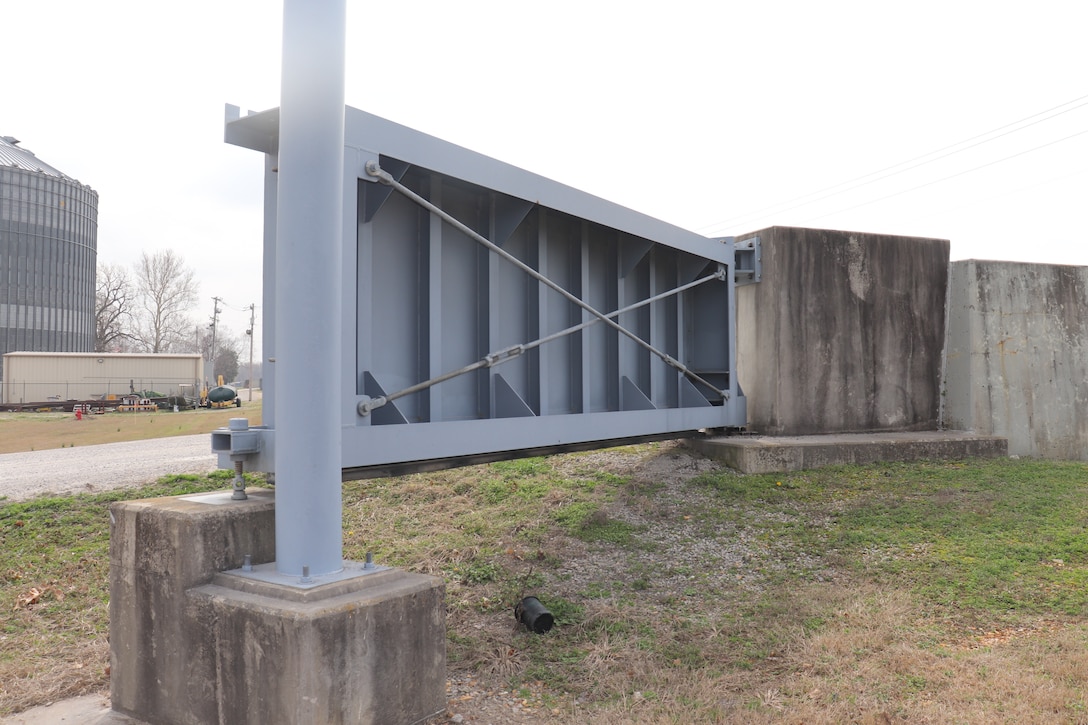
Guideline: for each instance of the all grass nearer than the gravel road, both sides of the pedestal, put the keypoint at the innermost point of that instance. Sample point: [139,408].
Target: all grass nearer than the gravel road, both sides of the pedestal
[925,593]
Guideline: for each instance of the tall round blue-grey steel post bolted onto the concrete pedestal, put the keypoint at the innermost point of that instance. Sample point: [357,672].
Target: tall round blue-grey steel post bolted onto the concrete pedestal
[308,289]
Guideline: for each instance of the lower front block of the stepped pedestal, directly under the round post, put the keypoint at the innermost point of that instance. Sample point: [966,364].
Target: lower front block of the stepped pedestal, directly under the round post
[369,650]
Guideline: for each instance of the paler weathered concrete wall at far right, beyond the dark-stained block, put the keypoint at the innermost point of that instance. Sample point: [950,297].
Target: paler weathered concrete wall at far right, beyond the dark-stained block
[1017,362]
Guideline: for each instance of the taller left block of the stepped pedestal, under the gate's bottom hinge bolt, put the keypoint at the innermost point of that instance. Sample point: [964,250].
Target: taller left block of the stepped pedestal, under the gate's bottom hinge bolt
[159,549]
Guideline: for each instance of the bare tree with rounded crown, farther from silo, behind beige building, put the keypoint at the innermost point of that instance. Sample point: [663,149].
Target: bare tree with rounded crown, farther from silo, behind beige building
[168,290]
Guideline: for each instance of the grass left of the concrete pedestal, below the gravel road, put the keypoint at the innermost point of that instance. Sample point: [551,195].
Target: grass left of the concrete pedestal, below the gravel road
[55,592]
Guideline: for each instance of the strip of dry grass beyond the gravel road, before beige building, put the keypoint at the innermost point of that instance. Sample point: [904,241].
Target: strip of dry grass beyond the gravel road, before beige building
[42,432]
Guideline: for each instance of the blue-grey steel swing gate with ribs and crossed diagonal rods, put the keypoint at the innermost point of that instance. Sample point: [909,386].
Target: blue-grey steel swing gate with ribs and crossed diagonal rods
[499,314]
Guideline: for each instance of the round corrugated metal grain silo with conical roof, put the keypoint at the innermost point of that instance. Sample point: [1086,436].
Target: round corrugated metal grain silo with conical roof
[48,255]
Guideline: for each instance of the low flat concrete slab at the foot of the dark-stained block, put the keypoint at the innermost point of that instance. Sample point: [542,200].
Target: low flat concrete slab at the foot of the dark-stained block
[768,454]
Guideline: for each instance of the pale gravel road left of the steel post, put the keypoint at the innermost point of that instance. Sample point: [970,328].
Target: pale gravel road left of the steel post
[103,468]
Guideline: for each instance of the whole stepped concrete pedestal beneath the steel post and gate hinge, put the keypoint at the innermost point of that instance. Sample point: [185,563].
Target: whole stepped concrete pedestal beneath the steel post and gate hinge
[193,641]
